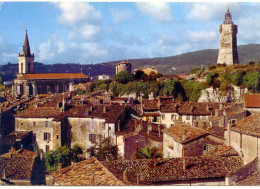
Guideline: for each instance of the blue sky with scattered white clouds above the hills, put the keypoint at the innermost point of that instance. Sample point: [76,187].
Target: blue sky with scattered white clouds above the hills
[95,32]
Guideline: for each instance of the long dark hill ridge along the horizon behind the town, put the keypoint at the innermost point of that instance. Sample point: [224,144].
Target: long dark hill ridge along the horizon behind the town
[179,64]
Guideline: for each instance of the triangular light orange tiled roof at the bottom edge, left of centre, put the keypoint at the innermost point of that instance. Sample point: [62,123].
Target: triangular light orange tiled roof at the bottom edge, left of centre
[87,172]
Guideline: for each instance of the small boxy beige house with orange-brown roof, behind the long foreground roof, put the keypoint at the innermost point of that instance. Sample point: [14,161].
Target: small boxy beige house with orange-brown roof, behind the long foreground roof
[183,140]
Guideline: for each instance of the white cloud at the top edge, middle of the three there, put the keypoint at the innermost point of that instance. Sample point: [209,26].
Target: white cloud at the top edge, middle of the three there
[160,11]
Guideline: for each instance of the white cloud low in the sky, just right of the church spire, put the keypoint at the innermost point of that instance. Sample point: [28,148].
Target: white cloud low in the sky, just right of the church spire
[50,49]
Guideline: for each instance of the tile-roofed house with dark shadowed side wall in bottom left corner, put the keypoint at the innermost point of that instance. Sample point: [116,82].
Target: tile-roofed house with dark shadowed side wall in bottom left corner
[22,167]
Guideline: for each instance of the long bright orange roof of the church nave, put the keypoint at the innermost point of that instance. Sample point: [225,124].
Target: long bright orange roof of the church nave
[53,76]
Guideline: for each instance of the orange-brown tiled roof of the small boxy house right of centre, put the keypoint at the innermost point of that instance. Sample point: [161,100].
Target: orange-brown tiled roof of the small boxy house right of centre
[177,132]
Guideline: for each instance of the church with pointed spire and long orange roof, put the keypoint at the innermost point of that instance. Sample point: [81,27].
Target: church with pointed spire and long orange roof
[29,83]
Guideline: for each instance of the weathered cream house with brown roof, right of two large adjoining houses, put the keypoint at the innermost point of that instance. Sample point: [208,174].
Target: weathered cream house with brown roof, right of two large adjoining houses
[85,122]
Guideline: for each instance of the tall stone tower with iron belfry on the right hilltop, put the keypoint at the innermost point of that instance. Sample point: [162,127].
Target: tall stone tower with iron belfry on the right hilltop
[228,41]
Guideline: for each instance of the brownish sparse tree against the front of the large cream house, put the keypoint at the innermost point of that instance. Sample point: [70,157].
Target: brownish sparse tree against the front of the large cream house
[103,147]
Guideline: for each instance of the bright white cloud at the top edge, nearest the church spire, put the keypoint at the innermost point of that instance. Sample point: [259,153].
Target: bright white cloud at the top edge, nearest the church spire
[77,12]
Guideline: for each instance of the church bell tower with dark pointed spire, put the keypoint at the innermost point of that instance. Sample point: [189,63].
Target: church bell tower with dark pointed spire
[25,59]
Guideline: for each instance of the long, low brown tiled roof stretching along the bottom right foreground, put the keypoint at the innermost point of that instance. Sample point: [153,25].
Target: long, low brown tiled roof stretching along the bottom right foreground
[171,170]
